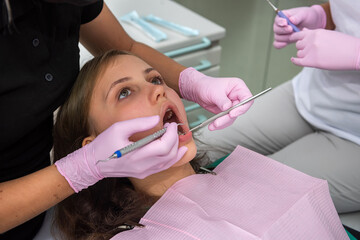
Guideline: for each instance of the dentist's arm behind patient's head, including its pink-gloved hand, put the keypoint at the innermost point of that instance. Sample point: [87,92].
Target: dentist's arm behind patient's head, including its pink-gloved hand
[214,94]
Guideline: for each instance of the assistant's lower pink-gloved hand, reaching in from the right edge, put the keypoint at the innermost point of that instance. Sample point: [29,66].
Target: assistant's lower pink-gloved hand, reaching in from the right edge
[326,49]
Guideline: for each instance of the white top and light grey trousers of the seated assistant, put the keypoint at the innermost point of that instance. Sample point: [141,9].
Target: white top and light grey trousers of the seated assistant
[311,123]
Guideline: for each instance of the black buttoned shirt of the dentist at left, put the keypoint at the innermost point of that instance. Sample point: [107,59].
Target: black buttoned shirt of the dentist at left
[38,66]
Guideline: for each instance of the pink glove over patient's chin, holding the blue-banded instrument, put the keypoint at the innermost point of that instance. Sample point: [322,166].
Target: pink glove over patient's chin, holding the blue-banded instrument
[80,168]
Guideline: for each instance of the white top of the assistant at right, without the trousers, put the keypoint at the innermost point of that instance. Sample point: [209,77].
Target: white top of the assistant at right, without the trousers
[330,100]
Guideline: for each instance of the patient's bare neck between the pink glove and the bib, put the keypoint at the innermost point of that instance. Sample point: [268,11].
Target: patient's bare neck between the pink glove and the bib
[157,184]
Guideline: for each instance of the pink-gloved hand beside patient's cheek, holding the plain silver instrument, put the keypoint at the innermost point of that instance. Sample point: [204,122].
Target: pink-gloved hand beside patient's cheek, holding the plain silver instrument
[215,95]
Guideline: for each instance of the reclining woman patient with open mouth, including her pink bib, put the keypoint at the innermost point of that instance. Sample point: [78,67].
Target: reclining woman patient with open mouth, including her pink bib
[118,87]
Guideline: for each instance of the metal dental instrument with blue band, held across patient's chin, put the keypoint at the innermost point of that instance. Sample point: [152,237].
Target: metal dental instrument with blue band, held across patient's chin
[135,145]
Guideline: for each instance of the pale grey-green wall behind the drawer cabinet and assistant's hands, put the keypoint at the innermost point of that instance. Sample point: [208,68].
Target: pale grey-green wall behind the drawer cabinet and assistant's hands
[247,47]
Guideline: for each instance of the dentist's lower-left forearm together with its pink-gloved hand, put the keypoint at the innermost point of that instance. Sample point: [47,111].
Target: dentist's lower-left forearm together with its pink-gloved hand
[24,198]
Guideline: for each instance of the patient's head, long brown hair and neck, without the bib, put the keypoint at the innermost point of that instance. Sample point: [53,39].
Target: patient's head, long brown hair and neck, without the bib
[116,87]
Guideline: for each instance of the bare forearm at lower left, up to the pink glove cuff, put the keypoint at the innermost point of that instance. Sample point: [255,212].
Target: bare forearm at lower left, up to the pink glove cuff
[24,198]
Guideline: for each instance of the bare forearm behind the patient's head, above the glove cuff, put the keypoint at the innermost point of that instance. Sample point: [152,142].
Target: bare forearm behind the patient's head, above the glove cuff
[105,33]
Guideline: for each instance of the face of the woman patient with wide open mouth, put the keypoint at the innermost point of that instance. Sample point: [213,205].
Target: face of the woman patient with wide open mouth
[129,88]
